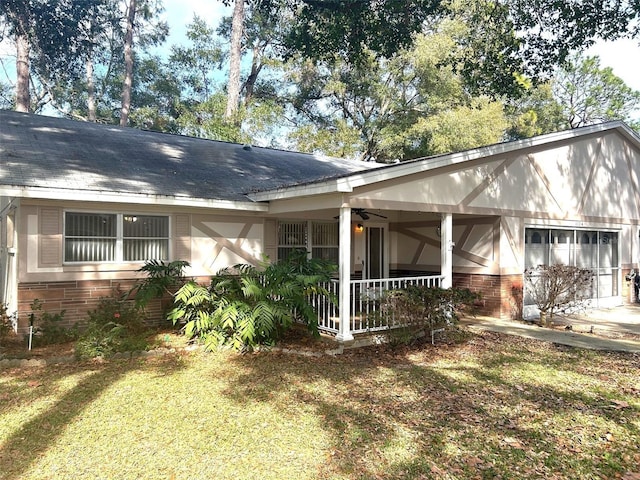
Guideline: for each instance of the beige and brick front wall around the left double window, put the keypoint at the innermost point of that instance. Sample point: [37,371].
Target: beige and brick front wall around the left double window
[208,242]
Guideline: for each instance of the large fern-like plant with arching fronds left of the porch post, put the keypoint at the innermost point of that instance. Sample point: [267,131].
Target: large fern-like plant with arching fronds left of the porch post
[245,306]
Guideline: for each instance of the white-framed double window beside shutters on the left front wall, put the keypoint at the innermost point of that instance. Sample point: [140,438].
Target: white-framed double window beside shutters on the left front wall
[98,237]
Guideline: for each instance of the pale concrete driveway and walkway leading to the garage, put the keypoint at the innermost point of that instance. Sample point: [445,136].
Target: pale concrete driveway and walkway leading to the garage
[612,329]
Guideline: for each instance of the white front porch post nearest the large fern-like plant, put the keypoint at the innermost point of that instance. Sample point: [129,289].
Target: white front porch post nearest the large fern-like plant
[344,293]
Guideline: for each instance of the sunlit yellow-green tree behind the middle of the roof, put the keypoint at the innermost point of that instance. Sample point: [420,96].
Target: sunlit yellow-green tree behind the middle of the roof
[413,104]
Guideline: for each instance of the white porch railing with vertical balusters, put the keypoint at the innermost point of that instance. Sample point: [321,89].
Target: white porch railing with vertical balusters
[365,302]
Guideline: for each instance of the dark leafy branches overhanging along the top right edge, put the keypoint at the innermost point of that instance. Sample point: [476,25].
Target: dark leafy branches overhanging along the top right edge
[537,35]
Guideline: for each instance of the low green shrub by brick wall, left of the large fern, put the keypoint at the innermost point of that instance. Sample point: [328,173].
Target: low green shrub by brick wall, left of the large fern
[116,325]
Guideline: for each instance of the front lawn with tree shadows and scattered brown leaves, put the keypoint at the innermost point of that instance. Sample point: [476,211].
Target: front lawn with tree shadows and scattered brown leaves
[491,407]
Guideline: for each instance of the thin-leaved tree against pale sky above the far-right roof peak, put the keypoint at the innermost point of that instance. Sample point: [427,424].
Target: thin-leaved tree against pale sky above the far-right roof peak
[589,94]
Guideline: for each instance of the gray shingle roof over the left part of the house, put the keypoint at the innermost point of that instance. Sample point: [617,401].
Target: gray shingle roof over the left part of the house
[39,151]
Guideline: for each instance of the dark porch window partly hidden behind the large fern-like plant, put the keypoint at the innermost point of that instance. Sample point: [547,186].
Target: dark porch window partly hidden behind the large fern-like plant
[322,243]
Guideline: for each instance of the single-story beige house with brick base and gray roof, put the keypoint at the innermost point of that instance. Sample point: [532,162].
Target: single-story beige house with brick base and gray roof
[83,205]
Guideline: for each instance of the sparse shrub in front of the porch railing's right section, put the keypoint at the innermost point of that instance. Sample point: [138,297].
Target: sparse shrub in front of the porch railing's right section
[413,311]
